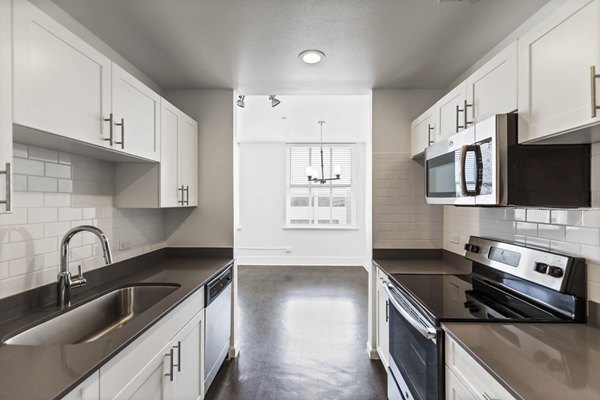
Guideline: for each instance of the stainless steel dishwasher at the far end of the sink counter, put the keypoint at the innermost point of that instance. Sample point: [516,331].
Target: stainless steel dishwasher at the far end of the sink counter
[217,326]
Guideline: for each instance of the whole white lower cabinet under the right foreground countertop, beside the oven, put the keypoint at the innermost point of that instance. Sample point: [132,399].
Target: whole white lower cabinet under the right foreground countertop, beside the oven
[467,379]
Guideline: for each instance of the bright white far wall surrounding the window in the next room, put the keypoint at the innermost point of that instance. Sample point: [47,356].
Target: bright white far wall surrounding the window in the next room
[262,134]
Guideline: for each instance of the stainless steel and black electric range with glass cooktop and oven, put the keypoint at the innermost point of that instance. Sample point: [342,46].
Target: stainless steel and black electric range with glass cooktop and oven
[509,283]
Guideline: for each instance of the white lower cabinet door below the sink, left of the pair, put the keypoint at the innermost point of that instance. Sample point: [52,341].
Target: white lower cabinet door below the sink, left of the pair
[154,381]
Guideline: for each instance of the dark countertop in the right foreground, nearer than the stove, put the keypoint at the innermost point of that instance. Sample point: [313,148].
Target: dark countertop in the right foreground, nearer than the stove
[536,361]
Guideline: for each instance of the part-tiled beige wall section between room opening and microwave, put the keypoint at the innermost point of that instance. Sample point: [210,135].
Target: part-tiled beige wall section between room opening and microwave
[401,217]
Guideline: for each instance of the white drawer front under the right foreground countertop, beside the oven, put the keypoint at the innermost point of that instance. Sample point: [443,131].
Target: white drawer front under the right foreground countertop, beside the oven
[471,374]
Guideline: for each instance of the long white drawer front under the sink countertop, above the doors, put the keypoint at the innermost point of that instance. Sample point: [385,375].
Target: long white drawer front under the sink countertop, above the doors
[122,369]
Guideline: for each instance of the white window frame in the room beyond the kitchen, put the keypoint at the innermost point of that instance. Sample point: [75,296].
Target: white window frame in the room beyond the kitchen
[330,185]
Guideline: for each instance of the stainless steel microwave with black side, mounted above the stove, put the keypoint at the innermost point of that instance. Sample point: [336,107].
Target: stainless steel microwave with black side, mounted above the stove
[485,165]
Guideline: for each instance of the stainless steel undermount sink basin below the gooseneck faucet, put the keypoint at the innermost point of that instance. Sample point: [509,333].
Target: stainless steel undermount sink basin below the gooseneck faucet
[96,318]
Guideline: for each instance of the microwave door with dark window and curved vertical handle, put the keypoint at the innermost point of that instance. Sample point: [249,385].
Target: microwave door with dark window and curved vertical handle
[452,168]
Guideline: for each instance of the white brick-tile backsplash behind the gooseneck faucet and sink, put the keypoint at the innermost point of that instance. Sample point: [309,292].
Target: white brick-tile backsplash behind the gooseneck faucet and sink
[54,192]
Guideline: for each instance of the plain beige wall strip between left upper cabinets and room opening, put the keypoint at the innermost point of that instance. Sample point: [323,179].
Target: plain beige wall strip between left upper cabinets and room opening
[211,223]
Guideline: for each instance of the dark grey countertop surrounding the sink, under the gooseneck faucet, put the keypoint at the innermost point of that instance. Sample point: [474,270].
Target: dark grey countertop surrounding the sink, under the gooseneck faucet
[49,372]
